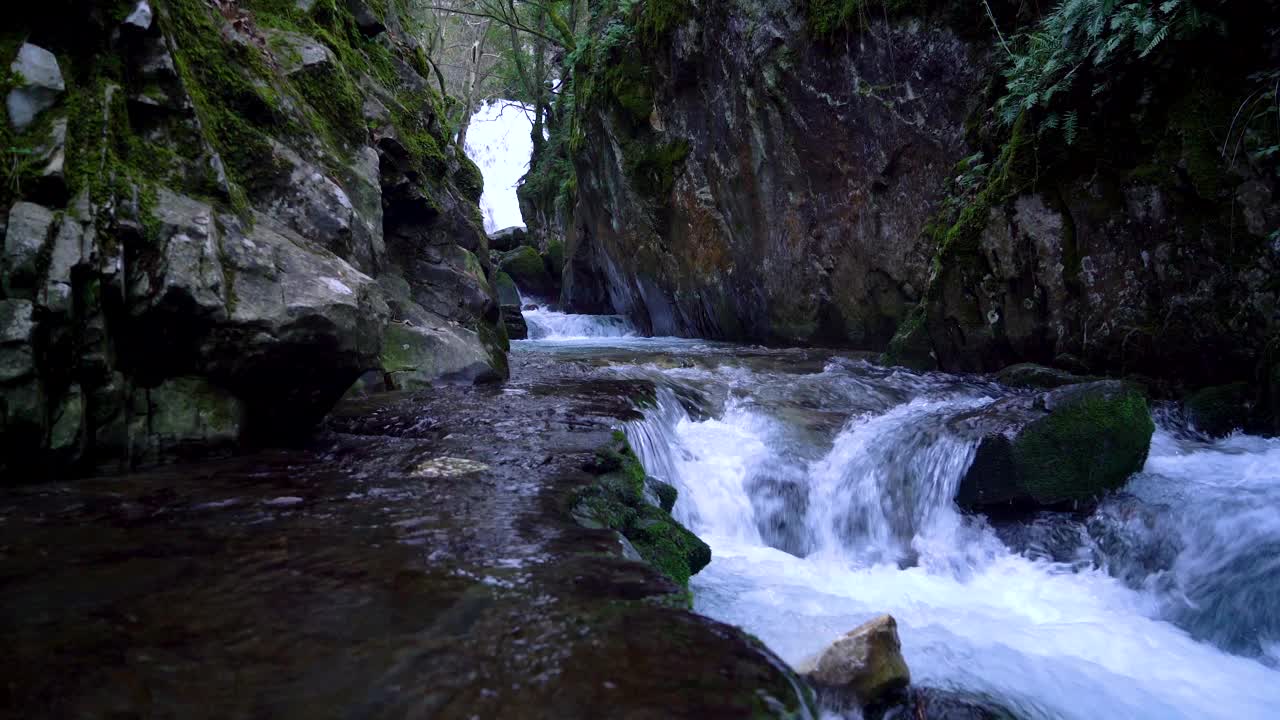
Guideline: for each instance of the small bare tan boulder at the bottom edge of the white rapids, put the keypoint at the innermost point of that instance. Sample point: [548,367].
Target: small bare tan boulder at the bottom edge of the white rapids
[867,662]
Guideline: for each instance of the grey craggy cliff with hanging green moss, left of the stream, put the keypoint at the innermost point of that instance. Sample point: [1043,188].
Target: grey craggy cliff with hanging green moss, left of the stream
[218,217]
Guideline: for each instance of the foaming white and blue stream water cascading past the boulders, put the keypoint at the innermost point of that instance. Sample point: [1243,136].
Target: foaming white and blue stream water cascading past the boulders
[824,485]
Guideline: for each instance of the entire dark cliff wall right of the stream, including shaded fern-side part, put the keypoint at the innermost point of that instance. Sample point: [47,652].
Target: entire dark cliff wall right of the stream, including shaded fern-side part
[748,172]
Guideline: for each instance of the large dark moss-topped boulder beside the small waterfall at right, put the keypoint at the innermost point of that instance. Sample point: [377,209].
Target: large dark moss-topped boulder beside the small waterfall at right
[1068,445]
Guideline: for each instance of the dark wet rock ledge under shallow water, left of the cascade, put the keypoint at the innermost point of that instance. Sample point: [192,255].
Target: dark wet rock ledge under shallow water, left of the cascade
[422,559]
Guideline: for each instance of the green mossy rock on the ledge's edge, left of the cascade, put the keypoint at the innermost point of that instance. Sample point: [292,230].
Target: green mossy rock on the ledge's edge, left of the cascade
[618,502]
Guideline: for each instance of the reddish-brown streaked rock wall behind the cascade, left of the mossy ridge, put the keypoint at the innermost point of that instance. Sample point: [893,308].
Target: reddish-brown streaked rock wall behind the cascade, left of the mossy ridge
[756,183]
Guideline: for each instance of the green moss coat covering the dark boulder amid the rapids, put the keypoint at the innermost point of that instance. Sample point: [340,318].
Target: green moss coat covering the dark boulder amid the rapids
[1086,448]
